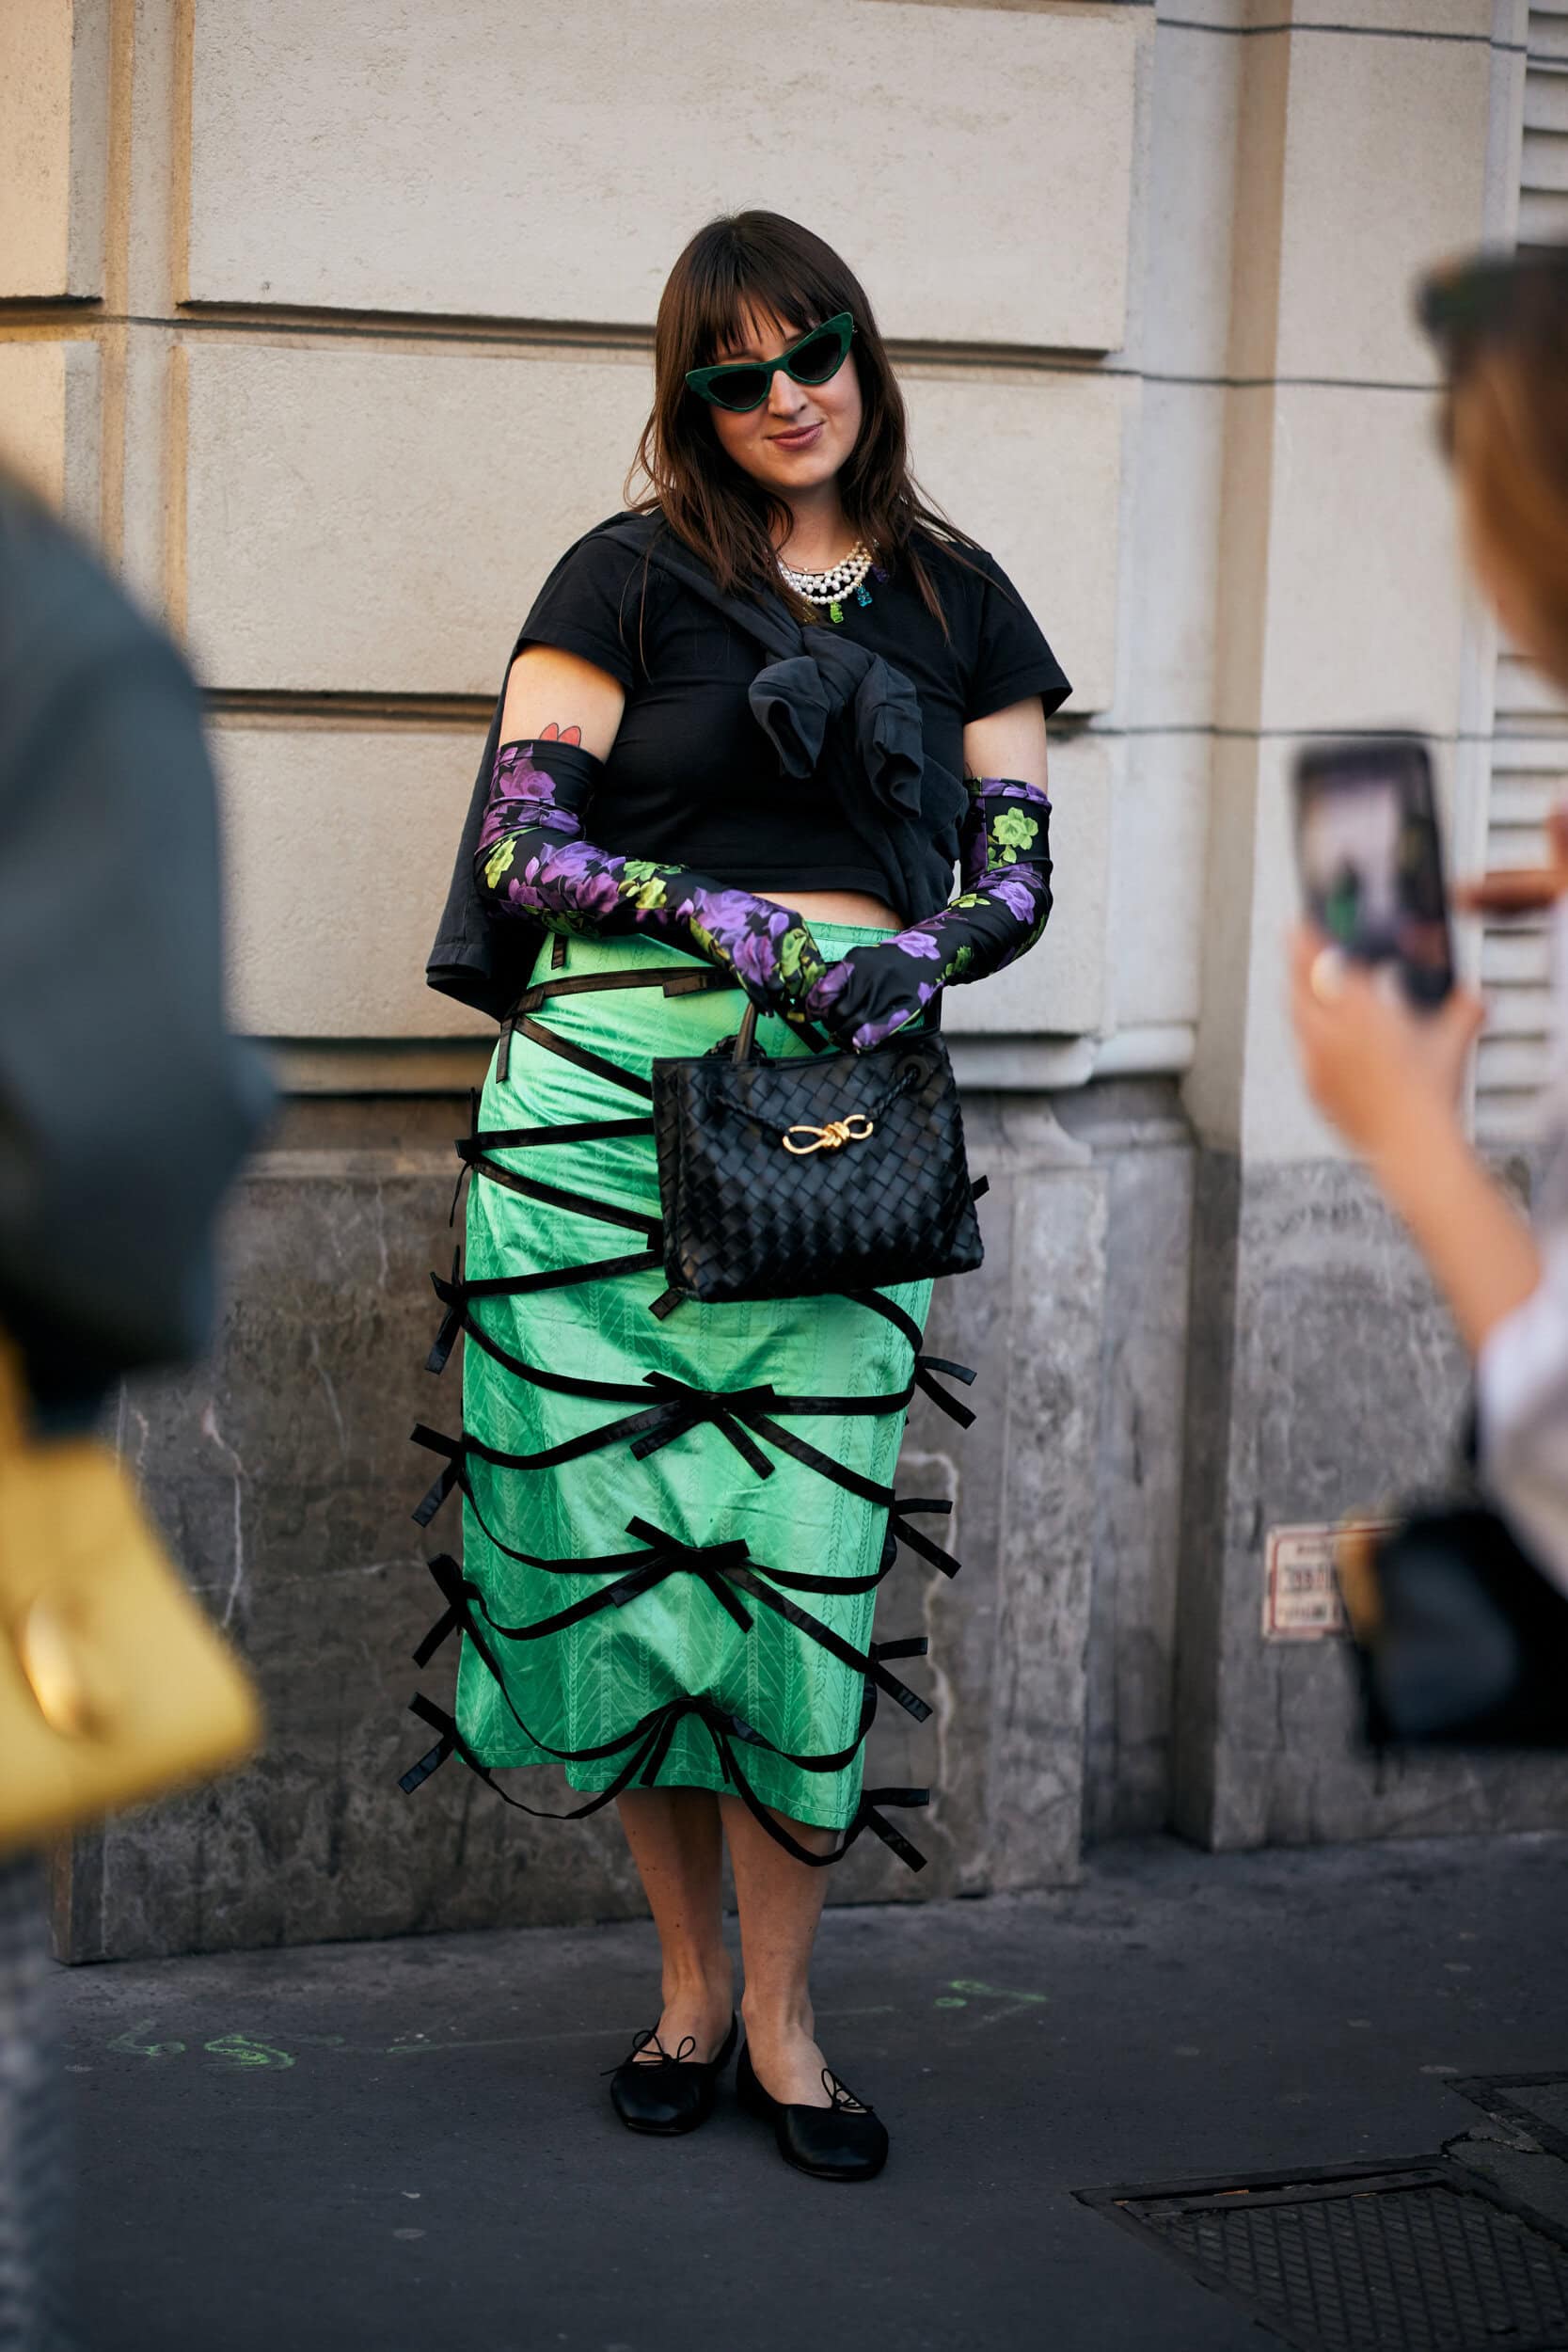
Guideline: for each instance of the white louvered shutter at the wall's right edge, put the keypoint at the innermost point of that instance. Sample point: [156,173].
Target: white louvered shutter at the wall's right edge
[1532,721]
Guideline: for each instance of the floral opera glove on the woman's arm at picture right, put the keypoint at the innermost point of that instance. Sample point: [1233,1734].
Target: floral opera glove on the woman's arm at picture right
[1000,911]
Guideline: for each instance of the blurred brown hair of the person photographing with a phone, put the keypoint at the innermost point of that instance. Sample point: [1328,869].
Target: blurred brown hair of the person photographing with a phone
[1506,429]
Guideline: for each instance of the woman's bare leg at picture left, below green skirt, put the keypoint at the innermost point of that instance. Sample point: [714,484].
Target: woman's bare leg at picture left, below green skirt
[678,1850]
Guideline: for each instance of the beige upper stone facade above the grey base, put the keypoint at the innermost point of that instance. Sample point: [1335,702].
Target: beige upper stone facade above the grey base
[333,326]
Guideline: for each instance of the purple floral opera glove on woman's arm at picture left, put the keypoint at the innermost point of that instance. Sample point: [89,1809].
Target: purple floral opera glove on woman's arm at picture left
[532,860]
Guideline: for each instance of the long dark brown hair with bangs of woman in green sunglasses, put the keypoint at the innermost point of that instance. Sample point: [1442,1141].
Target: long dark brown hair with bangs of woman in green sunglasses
[735,269]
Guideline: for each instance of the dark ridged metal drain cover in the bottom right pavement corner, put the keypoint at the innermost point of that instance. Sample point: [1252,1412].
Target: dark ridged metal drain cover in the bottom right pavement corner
[1421,2257]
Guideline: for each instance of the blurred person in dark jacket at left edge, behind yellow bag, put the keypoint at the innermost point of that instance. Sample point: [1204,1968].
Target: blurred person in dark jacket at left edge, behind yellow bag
[123,1114]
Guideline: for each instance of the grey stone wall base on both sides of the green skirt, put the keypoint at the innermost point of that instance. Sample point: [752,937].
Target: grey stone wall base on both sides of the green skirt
[283,1476]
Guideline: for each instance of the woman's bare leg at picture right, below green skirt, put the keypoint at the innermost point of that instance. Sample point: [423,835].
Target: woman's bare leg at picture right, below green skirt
[782,1904]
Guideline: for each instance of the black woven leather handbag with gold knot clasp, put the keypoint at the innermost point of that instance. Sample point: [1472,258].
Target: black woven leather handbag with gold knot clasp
[784,1180]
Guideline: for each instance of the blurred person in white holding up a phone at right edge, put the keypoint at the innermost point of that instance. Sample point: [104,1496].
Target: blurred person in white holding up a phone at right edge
[1388,1076]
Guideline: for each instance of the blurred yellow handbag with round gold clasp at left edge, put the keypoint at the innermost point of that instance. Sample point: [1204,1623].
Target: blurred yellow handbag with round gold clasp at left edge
[114,1685]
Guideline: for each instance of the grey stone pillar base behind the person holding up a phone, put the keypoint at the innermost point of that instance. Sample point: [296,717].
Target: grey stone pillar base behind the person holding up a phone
[1325,1377]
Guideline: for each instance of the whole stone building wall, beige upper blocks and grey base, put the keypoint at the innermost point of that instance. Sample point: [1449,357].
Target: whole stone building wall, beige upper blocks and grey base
[333,326]
